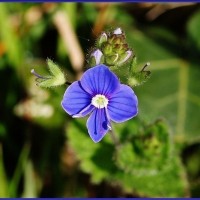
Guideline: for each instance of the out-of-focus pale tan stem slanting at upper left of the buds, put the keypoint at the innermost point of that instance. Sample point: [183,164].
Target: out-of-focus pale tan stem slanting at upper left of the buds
[66,31]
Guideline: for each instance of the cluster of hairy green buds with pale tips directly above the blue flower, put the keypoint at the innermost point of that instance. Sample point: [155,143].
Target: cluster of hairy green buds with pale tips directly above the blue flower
[113,50]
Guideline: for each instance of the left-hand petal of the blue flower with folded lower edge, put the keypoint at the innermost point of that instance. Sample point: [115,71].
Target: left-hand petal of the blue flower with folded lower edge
[76,101]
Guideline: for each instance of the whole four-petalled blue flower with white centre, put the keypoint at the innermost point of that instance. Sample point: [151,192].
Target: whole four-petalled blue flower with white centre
[100,93]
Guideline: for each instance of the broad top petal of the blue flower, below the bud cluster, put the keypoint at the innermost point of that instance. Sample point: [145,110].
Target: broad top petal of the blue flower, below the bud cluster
[100,80]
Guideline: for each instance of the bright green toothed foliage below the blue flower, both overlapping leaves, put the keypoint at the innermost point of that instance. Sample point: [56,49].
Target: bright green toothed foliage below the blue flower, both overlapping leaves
[143,157]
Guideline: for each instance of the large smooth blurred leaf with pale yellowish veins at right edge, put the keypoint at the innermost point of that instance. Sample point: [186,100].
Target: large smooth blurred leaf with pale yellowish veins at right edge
[173,90]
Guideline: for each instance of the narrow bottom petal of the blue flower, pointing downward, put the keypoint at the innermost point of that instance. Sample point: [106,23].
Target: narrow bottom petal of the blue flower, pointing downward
[97,124]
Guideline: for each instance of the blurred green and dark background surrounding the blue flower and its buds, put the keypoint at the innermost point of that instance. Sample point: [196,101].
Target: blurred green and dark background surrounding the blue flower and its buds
[44,153]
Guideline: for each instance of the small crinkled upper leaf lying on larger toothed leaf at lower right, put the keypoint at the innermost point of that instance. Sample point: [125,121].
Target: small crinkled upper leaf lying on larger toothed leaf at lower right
[148,152]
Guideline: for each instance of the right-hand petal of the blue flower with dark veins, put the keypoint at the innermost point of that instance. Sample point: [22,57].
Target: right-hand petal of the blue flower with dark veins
[123,105]
